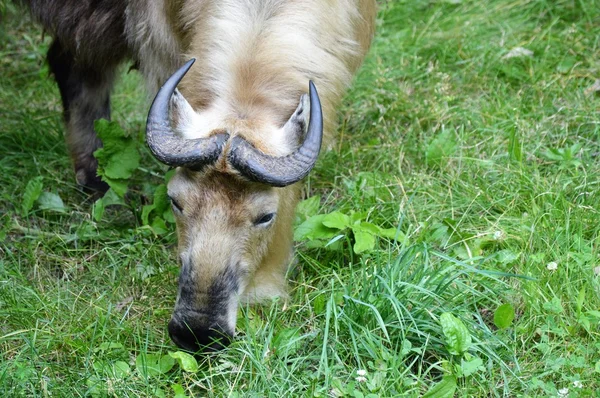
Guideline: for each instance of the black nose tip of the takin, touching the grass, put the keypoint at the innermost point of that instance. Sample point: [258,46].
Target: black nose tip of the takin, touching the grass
[192,338]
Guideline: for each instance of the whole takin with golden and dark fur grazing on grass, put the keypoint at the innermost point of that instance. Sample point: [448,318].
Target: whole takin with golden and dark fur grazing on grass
[239,125]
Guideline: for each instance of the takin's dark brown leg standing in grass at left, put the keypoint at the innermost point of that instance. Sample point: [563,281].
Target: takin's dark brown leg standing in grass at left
[85,93]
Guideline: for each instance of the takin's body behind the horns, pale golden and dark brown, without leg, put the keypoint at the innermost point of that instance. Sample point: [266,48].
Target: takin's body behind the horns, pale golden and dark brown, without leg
[254,57]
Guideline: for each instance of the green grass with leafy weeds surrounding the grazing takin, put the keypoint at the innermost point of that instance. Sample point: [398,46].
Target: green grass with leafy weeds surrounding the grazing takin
[485,163]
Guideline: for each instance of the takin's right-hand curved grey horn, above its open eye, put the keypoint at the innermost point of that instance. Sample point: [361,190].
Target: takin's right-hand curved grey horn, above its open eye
[285,170]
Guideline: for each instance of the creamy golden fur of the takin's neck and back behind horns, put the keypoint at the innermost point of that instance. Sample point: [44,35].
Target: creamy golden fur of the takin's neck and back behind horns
[255,57]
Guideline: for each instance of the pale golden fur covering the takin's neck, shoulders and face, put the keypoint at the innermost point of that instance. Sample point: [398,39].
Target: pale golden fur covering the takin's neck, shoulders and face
[254,61]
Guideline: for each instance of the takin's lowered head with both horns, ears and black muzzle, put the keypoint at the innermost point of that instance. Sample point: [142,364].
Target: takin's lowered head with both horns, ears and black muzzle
[234,207]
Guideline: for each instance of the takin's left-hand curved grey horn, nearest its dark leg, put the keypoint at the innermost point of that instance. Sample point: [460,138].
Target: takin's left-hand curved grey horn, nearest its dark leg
[168,147]
